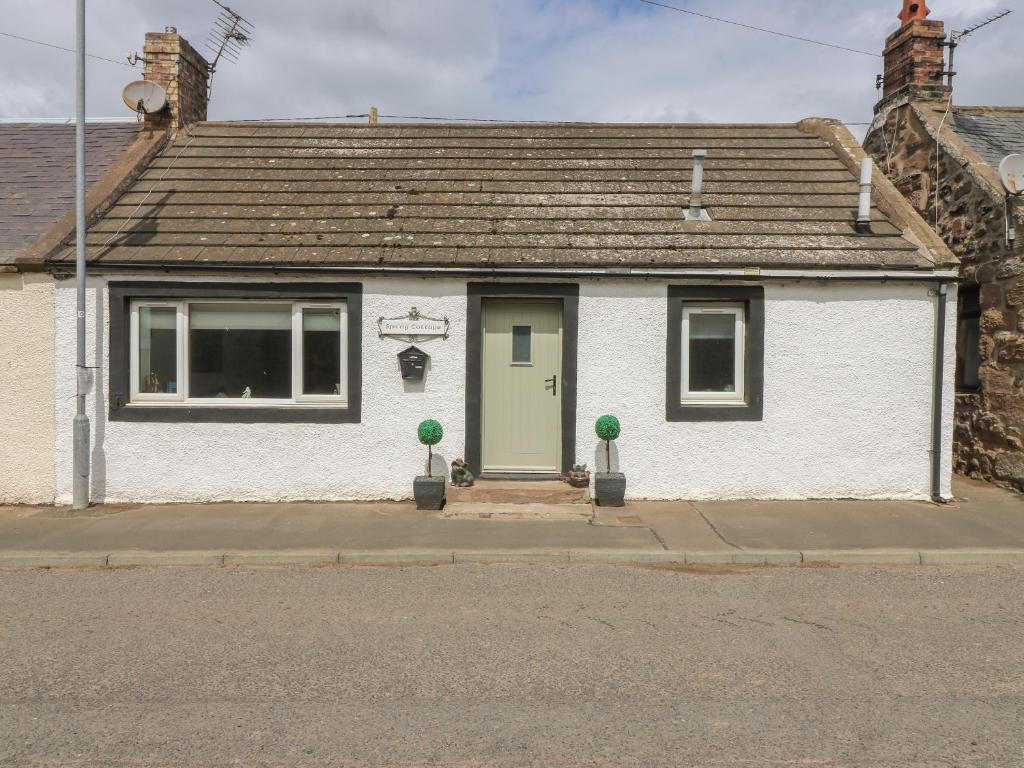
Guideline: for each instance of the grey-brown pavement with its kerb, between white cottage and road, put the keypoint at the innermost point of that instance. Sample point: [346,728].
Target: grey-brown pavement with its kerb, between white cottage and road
[985,527]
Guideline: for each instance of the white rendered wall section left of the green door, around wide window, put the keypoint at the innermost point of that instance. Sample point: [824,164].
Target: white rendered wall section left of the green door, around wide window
[376,459]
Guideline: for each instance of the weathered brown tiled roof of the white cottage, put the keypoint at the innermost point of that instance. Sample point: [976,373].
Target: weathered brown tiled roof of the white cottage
[552,195]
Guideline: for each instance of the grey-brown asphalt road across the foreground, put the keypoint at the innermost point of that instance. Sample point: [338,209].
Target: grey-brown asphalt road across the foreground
[513,666]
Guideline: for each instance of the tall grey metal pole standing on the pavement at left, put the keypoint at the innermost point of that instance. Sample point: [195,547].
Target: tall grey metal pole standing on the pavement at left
[80,489]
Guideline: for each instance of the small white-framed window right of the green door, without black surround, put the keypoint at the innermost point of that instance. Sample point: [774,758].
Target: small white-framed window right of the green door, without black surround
[713,354]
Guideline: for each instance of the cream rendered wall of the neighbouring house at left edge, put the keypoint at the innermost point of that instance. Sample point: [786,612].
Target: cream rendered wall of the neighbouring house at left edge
[27,390]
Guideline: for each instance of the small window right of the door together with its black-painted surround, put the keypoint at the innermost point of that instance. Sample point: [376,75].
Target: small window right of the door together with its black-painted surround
[715,355]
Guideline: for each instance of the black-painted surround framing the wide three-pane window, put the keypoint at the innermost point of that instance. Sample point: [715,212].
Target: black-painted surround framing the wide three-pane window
[120,407]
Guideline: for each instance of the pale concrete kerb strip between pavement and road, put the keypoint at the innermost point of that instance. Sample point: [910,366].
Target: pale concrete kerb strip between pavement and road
[437,558]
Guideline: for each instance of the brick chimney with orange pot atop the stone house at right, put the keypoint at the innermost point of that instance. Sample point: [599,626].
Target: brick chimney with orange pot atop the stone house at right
[915,59]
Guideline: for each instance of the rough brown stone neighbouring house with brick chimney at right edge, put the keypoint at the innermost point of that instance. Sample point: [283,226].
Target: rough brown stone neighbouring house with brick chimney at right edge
[945,159]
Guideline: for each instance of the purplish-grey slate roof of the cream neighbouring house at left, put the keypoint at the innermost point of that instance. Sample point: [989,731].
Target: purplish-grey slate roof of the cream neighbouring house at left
[37,175]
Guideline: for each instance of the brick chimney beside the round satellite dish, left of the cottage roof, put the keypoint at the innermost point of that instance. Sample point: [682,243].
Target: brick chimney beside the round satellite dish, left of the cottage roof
[173,63]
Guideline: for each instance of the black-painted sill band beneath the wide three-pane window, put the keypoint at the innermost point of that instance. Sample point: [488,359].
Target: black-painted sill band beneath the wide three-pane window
[170,413]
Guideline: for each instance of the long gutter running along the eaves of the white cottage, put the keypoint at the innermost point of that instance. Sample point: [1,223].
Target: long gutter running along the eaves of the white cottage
[754,275]
